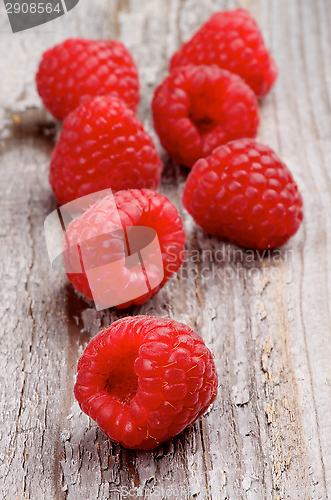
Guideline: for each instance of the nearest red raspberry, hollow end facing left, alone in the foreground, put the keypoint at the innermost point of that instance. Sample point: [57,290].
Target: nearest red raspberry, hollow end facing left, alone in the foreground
[144,379]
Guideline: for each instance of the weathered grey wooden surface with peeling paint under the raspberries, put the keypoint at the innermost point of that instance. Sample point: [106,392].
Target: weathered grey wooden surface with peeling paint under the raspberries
[268,435]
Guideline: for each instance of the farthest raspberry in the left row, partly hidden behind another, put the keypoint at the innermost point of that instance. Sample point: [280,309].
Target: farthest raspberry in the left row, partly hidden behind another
[78,69]
